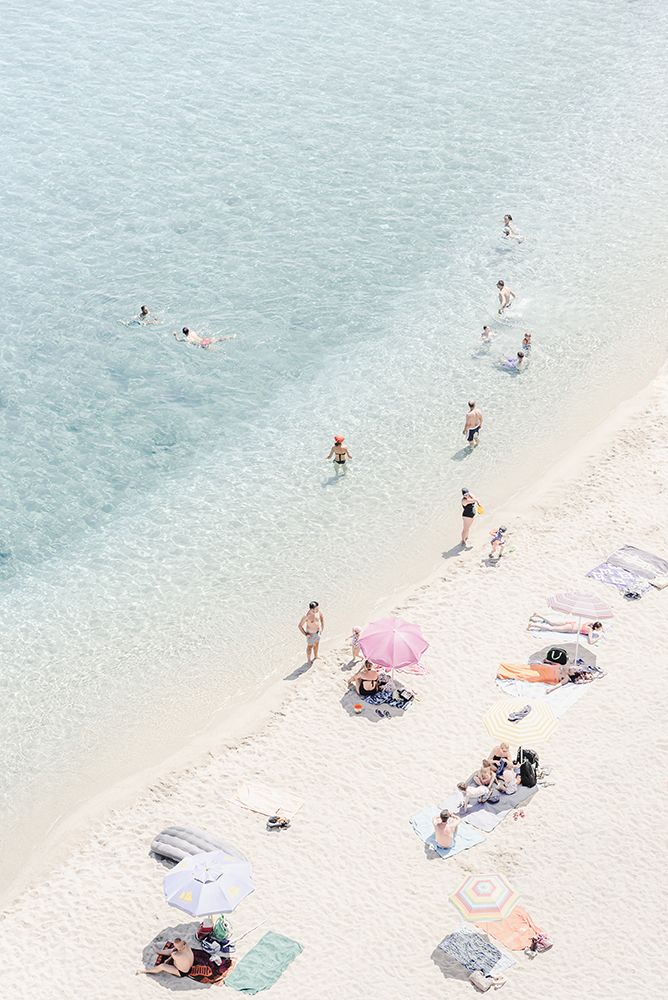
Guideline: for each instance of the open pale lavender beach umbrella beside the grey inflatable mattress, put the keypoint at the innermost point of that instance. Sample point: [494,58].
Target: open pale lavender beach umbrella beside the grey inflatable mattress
[207,883]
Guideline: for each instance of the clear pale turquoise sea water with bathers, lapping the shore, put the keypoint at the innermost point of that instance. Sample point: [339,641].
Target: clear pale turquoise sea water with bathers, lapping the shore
[327,183]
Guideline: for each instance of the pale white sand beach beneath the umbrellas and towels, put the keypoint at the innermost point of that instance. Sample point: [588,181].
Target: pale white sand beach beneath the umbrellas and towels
[350,880]
